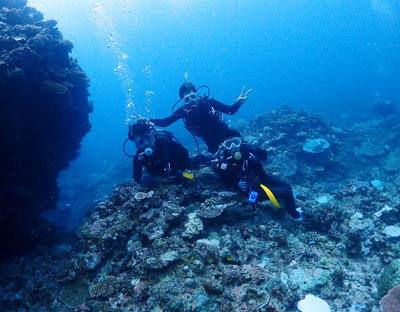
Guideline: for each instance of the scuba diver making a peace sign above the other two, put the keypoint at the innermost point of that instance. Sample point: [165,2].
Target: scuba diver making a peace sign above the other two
[202,116]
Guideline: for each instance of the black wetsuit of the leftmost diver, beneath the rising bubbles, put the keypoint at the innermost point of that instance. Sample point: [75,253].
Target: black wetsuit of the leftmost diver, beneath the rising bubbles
[167,159]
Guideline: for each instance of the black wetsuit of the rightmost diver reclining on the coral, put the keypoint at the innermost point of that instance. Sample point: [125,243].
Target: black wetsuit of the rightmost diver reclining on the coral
[250,169]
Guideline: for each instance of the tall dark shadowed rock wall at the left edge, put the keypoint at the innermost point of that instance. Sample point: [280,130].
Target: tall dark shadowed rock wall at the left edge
[43,118]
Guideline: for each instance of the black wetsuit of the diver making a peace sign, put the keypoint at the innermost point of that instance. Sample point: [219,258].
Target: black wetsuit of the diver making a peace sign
[204,120]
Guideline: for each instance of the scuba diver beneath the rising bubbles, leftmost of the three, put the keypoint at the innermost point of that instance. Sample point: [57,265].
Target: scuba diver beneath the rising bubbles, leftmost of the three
[158,153]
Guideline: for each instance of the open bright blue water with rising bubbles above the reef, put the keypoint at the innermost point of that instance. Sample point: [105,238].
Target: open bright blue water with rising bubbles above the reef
[329,56]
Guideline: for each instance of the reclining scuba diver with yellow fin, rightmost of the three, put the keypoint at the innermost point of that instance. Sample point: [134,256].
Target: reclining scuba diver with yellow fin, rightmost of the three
[239,168]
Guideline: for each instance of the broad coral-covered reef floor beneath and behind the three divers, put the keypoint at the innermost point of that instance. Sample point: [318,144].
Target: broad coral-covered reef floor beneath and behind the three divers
[197,247]
